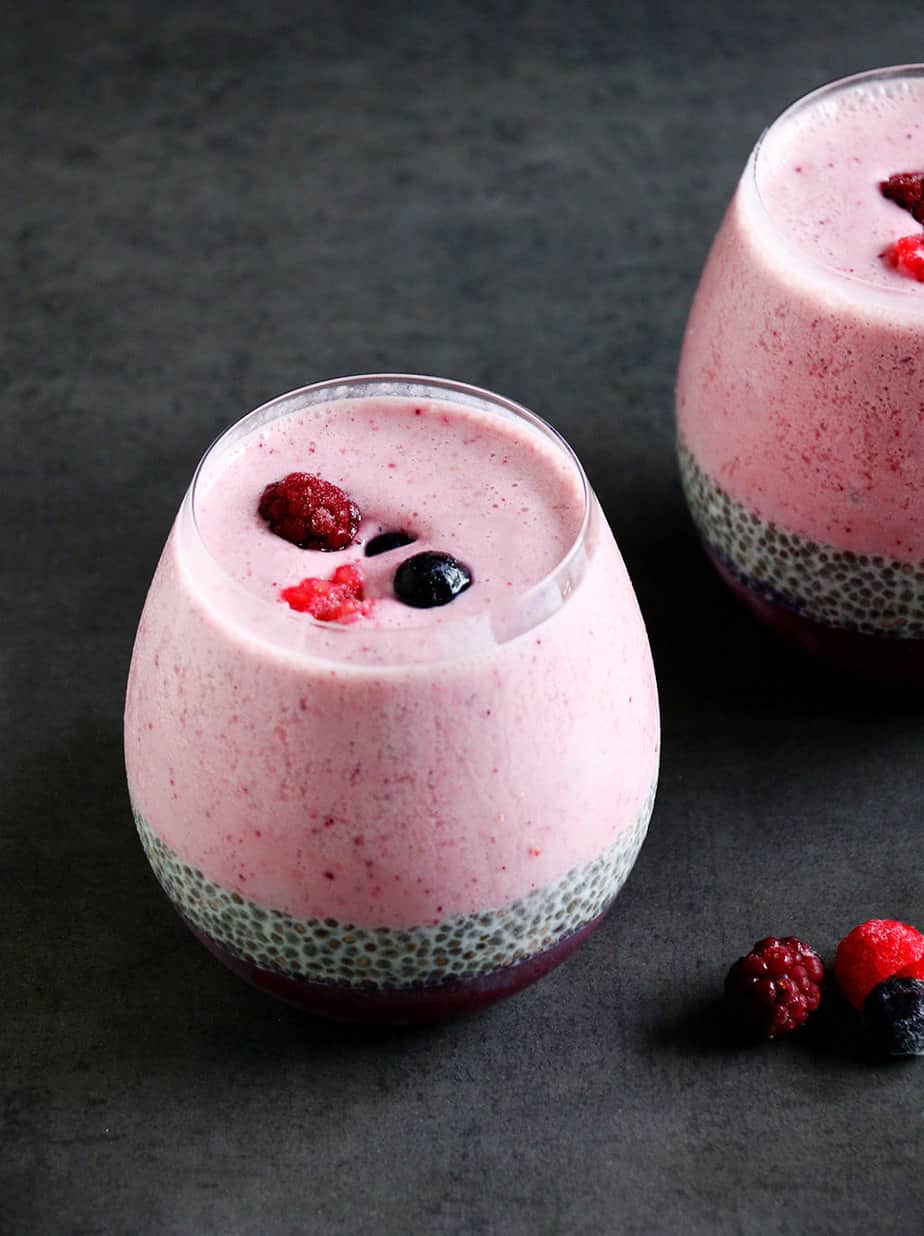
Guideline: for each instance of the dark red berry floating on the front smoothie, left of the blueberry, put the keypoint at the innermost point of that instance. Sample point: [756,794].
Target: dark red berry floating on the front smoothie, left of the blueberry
[309,512]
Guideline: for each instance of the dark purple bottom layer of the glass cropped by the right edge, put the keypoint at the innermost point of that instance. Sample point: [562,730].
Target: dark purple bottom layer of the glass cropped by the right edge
[879,658]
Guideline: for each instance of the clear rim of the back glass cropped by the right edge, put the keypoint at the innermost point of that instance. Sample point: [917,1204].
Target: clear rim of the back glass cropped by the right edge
[881,294]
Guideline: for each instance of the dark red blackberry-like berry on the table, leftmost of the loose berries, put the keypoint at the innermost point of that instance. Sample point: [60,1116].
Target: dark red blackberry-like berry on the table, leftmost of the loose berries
[774,989]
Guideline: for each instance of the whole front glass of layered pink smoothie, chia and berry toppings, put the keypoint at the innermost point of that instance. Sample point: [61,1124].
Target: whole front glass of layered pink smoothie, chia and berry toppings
[392,729]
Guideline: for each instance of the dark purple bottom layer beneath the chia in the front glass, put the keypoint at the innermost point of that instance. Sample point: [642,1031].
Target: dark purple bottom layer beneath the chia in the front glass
[400,1005]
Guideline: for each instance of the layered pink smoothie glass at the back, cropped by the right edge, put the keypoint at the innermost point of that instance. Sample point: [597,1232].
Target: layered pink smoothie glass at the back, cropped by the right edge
[801,386]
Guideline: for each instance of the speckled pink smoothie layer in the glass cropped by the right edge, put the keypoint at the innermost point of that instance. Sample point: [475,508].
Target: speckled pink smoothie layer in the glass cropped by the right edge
[801,389]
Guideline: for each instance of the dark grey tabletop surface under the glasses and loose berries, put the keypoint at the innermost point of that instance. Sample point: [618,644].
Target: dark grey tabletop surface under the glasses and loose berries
[204,206]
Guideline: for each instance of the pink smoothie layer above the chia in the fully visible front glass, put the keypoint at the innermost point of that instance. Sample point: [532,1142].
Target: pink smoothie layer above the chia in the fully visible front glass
[419,763]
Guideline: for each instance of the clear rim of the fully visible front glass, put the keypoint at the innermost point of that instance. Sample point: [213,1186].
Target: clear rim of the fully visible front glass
[348,636]
